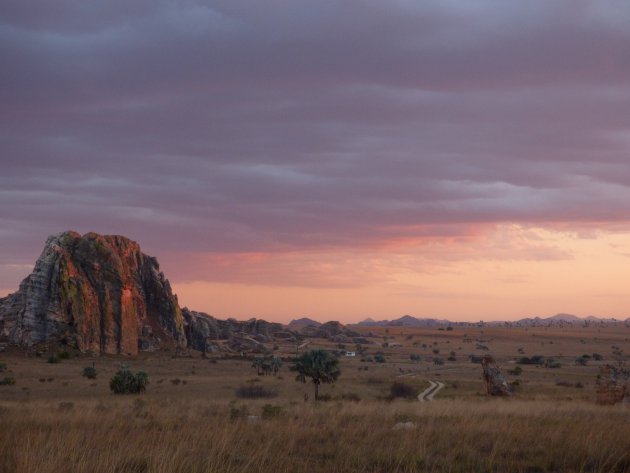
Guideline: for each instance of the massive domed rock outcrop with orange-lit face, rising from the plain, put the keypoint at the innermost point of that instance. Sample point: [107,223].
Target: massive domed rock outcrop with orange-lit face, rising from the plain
[100,293]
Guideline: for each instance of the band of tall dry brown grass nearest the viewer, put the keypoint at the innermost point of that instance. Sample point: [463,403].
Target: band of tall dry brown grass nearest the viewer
[134,434]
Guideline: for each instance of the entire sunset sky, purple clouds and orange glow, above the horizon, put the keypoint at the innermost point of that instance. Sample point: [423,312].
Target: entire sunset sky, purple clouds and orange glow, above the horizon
[458,159]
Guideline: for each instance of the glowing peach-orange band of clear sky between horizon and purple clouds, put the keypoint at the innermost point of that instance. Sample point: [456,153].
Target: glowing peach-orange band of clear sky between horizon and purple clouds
[505,274]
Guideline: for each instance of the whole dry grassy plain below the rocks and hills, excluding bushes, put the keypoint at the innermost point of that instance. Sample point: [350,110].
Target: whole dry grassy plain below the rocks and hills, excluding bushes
[190,419]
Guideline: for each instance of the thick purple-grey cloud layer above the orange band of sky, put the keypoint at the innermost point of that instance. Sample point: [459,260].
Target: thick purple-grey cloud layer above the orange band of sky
[236,127]
